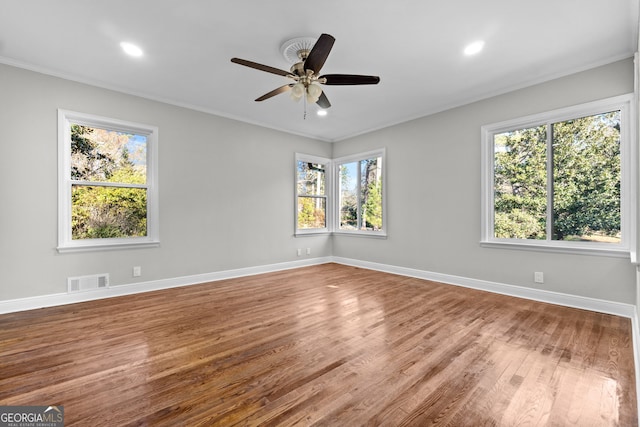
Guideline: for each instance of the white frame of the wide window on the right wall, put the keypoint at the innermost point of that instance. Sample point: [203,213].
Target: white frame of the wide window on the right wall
[628,155]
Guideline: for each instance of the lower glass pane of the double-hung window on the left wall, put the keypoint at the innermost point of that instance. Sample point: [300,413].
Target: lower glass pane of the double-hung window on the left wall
[108,212]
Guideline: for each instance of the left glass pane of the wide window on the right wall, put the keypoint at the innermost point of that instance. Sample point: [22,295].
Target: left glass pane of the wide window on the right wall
[520,183]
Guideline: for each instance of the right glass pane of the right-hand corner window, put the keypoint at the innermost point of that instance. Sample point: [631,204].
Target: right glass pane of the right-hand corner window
[371,194]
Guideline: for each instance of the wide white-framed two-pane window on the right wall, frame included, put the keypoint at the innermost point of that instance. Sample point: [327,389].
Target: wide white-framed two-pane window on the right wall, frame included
[561,180]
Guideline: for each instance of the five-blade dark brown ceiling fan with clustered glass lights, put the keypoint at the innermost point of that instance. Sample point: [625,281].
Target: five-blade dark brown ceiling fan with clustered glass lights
[305,73]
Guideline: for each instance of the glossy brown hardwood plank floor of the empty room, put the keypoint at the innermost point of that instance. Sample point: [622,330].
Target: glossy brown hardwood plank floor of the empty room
[323,345]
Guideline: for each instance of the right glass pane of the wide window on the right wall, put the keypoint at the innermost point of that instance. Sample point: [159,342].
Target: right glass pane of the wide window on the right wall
[586,179]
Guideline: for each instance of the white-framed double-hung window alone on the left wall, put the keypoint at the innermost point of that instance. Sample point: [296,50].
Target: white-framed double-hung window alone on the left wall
[107,183]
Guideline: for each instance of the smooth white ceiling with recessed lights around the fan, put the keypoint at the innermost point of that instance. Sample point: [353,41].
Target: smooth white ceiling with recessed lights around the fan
[415,46]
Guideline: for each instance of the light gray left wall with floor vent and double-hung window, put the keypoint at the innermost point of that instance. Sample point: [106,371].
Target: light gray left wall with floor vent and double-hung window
[226,189]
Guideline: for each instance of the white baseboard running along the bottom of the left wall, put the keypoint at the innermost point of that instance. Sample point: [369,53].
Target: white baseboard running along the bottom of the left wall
[31,303]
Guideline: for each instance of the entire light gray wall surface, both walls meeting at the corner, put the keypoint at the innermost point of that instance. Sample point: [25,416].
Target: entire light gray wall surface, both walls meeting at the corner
[211,169]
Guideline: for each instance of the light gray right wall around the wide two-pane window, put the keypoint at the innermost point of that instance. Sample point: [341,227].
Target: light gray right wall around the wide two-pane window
[433,194]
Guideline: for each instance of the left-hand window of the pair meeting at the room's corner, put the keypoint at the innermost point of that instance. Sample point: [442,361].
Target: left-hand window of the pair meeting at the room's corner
[311,194]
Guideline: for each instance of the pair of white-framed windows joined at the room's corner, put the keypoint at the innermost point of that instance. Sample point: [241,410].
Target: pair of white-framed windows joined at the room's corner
[340,196]
